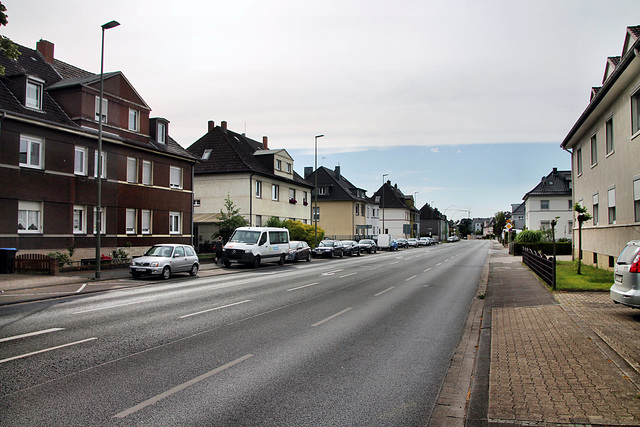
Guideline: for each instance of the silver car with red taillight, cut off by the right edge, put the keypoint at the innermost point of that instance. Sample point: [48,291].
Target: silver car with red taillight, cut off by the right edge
[626,285]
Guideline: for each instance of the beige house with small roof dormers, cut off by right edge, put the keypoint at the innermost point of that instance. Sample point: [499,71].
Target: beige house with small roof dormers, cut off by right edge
[605,150]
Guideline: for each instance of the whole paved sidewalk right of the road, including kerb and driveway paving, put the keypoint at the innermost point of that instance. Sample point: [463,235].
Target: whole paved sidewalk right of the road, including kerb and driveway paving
[543,358]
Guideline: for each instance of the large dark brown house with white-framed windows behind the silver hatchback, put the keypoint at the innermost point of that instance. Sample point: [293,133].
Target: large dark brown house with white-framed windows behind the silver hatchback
[49,158]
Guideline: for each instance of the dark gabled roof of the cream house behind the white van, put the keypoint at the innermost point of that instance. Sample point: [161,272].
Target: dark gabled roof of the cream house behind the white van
[232,152]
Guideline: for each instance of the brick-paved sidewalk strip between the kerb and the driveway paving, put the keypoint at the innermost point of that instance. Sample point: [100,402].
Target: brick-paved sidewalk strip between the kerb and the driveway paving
[545,369]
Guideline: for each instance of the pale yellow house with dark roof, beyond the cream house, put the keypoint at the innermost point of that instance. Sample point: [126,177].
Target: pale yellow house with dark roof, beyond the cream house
[344,210]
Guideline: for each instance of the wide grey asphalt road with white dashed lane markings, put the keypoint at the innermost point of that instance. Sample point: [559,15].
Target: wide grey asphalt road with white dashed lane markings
[353,341]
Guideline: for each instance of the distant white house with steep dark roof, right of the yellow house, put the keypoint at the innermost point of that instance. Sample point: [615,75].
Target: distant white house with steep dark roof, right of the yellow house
[399,216]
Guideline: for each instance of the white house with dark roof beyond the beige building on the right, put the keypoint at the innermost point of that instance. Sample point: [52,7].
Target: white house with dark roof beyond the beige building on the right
[551,199]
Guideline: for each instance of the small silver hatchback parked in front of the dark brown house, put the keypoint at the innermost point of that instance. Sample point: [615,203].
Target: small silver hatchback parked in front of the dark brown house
[164,260]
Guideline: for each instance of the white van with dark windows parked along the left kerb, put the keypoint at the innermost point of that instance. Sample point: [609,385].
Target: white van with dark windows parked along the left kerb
[254,245]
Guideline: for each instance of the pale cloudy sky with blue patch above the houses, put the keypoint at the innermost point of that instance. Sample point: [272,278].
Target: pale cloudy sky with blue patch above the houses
[463,104]
